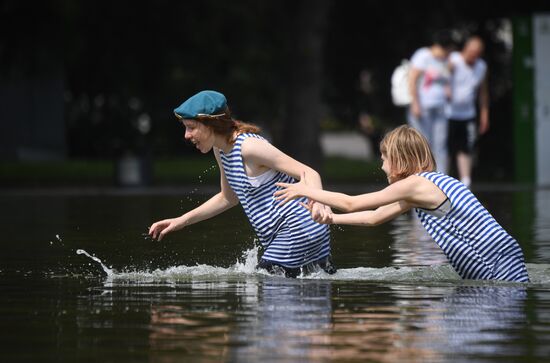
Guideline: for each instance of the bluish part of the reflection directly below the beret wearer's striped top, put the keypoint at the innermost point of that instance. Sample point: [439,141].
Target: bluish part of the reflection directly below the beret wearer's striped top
[292,319]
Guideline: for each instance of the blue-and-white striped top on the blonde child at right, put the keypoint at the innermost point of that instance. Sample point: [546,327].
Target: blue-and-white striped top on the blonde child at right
[475,244]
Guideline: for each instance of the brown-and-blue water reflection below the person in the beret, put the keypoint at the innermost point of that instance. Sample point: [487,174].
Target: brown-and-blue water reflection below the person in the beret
[272,318]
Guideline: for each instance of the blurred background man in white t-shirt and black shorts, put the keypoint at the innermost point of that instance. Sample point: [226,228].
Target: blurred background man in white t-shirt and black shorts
[469,84]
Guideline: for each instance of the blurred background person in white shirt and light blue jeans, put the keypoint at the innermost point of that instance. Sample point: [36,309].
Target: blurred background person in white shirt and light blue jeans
[429,85]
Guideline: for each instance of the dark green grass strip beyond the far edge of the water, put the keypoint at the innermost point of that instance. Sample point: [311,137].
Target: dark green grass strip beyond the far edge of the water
[174,171]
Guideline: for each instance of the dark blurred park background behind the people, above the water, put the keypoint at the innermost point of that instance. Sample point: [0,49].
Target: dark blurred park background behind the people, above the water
[87,88]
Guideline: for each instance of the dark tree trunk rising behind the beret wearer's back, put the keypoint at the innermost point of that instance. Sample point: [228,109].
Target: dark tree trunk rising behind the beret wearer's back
[300,124]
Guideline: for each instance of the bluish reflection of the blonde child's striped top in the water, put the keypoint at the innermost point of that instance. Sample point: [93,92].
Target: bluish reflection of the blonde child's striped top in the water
[476,321]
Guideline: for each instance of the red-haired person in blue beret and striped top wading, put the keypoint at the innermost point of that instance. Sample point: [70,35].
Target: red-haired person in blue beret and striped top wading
[250,167]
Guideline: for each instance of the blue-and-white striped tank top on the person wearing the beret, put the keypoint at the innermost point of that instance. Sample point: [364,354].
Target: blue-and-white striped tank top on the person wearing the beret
[287,232]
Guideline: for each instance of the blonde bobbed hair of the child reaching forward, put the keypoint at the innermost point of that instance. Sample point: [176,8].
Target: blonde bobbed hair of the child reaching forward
[407,152]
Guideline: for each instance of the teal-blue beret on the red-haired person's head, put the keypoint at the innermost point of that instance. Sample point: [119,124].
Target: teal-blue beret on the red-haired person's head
[203,103]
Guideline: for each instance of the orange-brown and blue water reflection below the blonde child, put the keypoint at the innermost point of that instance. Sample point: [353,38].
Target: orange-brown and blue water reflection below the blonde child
[462,321]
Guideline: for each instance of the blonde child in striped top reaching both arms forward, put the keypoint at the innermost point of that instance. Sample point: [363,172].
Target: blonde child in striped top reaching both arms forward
[475,244]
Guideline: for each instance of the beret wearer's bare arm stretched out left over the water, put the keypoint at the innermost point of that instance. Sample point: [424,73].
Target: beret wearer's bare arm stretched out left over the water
[219,203]
